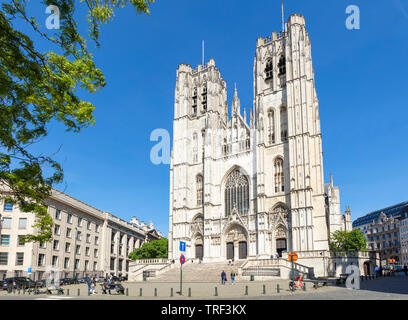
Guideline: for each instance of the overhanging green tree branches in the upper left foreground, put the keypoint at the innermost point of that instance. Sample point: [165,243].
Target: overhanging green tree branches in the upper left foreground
[39,87]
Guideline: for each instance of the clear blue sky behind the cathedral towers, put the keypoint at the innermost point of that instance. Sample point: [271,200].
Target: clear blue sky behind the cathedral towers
[361,79]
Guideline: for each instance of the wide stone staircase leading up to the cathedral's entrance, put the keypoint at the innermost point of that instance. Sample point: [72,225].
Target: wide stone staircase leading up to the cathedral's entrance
[195,272]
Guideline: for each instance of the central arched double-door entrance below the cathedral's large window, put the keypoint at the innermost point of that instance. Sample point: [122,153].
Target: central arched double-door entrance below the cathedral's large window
[236,243]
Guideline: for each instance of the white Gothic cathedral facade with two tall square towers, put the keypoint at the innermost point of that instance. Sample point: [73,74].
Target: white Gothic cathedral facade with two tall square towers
[251,187]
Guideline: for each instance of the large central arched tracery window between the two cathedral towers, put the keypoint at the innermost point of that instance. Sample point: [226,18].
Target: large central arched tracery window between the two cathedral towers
[237,193]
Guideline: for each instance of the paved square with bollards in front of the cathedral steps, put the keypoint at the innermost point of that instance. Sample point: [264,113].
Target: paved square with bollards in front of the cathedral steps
[395,288]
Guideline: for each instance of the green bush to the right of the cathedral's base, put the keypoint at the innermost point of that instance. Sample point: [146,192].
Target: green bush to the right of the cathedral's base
[348,241]
